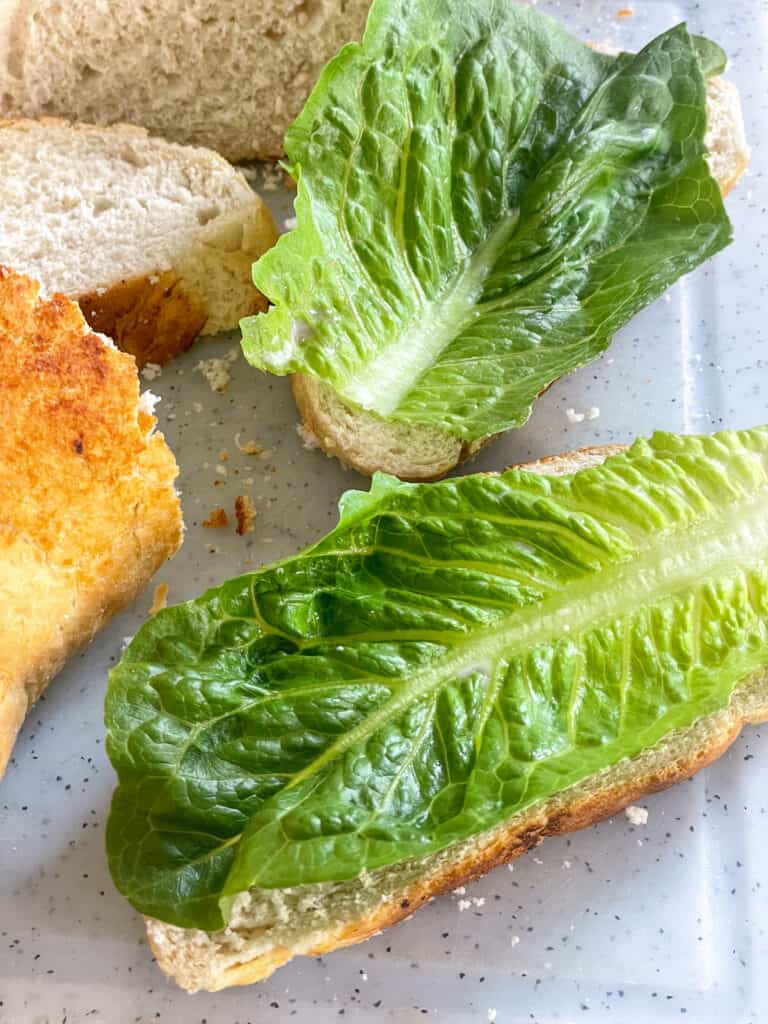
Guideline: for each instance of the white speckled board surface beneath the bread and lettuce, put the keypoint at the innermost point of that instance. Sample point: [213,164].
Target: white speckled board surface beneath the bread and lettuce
[660,923]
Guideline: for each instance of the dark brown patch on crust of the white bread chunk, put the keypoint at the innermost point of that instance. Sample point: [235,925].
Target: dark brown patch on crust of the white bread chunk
[153,319]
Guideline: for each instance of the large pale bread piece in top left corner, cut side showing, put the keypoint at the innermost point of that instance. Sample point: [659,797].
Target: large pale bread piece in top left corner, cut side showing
[227,75]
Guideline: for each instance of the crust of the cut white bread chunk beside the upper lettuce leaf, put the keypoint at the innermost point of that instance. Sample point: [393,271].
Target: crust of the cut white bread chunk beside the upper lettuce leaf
[158,315]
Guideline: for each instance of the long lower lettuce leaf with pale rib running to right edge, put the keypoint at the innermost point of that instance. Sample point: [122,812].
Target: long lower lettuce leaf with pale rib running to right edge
[449,655]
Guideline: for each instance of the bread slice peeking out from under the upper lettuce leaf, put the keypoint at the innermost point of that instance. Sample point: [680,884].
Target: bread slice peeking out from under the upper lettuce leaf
[365,442]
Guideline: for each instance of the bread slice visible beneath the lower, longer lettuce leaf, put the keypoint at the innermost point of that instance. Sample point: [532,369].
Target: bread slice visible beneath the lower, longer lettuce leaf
[270,927]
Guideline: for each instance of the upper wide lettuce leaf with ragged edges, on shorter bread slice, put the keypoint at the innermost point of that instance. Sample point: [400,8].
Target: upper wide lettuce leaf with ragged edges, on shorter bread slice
[483,202]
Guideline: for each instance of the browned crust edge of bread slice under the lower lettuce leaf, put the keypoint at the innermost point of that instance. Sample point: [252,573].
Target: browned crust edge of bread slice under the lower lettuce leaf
[578,808]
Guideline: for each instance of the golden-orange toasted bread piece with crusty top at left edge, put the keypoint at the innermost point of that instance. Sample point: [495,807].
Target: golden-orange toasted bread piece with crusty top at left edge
[89,509]
